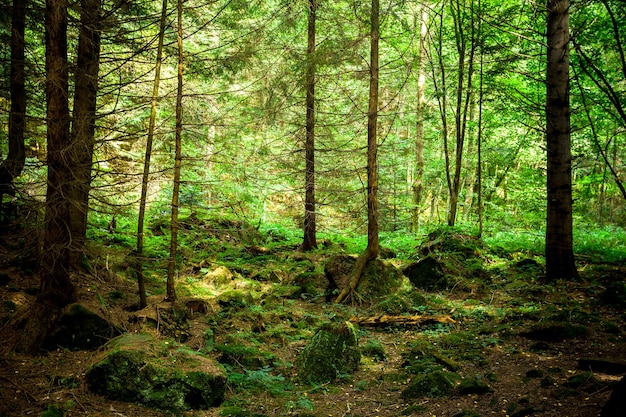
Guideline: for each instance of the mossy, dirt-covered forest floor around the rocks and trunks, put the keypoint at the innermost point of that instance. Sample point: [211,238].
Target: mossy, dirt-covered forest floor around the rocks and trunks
[524,340]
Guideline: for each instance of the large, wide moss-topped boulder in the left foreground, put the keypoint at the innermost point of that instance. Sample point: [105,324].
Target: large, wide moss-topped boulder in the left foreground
[157,374]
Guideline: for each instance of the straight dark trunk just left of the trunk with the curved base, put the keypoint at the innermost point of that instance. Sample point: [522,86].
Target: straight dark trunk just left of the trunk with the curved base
[310,239]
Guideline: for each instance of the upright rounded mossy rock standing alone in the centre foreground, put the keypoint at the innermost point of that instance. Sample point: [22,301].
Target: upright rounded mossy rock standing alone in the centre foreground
[331,352]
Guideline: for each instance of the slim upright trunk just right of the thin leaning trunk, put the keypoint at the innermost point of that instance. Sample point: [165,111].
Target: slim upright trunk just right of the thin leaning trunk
[171,288]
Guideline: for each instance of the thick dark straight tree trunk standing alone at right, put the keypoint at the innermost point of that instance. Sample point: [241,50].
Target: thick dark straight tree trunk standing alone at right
[559,242]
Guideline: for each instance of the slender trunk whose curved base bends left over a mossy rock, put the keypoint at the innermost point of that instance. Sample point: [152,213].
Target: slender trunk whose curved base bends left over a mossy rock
[371,252]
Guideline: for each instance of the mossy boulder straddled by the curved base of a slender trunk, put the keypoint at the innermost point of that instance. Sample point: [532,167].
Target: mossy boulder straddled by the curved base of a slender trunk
[379,278]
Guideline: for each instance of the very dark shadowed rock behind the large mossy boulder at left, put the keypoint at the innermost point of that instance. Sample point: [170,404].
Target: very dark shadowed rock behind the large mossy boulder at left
[80,328]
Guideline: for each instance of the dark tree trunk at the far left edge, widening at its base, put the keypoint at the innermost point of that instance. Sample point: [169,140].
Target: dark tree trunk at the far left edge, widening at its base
[12,166]
